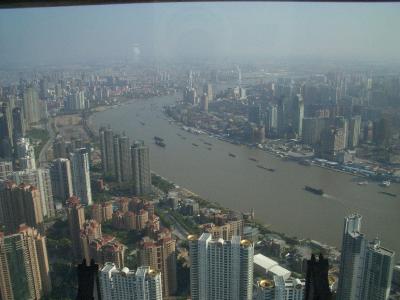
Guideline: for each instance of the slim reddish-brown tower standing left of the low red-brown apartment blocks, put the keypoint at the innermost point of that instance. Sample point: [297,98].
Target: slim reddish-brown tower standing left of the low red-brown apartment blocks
[76,219]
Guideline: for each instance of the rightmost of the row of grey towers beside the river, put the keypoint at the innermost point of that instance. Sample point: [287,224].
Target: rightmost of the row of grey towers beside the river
[141,168]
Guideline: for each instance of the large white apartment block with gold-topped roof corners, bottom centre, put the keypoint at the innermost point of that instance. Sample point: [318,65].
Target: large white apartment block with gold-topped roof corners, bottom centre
[221,269]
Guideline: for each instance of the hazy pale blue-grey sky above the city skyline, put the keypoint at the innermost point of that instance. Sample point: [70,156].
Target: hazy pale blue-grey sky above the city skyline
[73,34]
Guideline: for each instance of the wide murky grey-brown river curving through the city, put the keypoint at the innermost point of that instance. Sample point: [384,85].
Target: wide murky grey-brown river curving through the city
[278,198]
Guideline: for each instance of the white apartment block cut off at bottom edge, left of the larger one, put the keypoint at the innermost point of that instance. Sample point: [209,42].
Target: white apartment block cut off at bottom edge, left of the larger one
[125,284]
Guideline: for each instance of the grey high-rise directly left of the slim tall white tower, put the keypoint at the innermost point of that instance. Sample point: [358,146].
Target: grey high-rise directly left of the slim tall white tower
[61,178]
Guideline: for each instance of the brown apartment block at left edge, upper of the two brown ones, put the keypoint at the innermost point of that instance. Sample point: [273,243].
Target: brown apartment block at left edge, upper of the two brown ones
[20,205]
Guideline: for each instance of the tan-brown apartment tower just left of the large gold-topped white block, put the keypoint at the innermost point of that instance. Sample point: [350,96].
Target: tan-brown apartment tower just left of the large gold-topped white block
[160,255]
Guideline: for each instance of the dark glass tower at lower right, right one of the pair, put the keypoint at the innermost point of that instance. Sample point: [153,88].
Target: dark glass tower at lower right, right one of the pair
[378,270]
